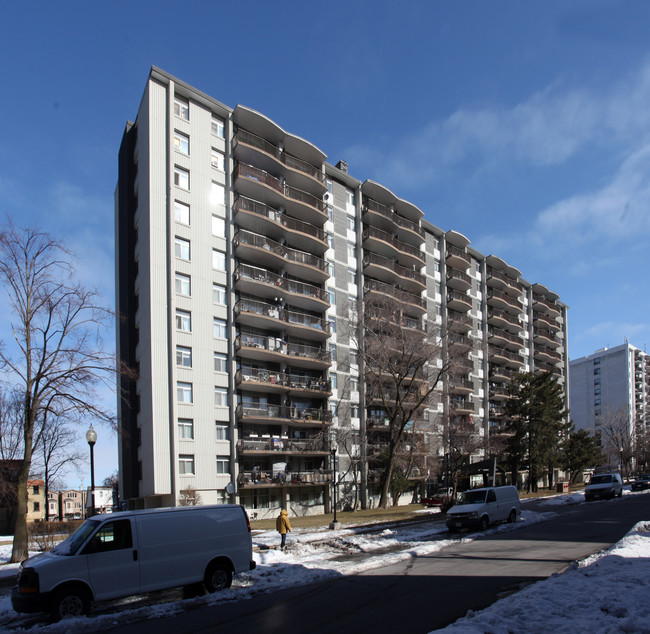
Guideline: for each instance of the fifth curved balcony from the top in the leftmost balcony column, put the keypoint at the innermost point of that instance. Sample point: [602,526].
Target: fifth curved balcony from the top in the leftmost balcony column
[266,284]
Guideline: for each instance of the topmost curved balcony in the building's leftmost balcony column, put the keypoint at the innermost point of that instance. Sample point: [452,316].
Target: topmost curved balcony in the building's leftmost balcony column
[252,149]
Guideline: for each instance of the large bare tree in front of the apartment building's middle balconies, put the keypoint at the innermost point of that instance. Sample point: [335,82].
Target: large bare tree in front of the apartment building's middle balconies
[403,368]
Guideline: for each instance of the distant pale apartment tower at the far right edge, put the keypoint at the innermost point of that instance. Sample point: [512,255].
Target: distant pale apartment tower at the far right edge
[610,381]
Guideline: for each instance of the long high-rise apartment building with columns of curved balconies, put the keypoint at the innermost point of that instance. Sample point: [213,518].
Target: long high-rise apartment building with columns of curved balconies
[241,257]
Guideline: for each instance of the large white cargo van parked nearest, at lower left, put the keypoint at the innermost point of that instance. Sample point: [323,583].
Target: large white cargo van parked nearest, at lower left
[133,552]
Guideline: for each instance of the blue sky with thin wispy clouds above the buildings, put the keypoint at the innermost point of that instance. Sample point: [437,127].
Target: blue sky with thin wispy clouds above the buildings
[523,125]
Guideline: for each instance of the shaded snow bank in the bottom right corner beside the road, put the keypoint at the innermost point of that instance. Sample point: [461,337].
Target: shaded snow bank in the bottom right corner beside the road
[607,592]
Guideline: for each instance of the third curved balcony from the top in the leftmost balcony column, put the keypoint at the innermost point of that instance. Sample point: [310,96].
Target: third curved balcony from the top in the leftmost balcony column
[261,218]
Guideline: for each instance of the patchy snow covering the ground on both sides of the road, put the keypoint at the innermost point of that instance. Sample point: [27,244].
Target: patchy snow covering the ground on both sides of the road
[314,555]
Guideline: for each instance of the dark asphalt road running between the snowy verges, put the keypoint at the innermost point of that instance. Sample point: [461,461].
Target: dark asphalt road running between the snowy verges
[424,593]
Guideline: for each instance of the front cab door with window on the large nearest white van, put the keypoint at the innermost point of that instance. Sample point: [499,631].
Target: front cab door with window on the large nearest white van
[111,555]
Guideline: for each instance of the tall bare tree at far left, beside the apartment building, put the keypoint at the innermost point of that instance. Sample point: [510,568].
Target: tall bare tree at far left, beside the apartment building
[56,360]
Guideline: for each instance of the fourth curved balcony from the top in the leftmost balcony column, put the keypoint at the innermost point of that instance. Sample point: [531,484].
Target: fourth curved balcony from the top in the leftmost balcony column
[261,250]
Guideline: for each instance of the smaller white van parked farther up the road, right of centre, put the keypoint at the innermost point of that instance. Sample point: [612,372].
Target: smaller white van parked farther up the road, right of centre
[478,508]
